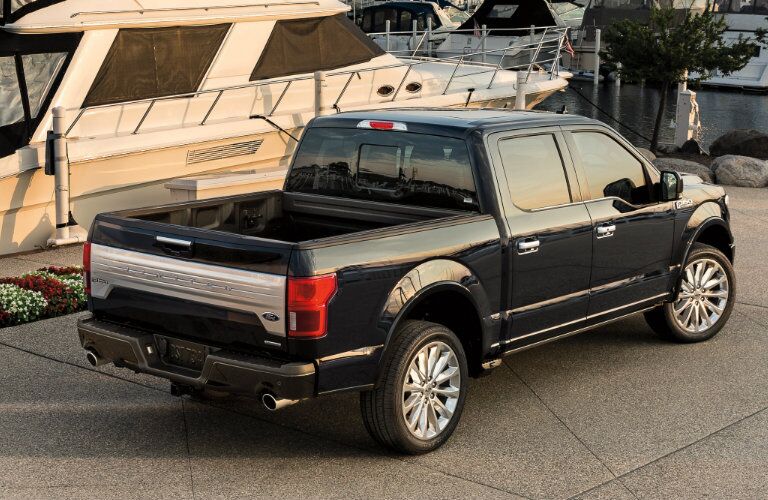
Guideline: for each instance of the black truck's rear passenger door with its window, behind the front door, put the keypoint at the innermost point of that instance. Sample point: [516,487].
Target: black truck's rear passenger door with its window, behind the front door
[550,246]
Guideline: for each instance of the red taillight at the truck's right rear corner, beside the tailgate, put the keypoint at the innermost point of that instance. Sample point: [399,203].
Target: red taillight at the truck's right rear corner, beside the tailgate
[308,305]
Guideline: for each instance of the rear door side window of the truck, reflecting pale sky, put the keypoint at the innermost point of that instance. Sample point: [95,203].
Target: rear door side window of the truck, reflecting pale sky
[535,171]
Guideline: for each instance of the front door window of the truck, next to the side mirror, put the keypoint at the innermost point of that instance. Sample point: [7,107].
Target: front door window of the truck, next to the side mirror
[611,170]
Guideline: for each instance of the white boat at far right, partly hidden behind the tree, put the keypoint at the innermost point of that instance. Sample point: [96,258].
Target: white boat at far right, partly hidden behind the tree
[743,18]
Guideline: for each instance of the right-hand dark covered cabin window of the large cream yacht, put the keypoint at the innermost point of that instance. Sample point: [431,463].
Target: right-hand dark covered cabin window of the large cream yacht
[308,45]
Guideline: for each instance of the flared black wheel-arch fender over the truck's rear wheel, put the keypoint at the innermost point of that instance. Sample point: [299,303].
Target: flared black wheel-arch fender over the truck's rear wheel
[431,277]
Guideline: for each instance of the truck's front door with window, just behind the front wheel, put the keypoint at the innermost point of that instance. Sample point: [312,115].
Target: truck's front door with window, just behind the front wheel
[632,233]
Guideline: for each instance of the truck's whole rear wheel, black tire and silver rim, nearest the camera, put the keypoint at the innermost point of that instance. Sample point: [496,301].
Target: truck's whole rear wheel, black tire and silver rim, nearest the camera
[420,396]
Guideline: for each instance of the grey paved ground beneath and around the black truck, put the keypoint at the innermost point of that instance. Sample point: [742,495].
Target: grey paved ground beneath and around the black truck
[613,413]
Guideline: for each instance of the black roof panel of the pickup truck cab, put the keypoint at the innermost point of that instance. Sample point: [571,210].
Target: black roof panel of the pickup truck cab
[455,121]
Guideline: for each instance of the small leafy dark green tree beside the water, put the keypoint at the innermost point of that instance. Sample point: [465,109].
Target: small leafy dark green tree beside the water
[670,43]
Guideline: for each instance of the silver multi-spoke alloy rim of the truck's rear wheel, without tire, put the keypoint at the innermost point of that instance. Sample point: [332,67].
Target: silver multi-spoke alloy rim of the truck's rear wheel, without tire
[431,390]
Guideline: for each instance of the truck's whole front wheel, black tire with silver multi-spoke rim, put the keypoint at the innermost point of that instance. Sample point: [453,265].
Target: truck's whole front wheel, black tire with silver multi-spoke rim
[704,301]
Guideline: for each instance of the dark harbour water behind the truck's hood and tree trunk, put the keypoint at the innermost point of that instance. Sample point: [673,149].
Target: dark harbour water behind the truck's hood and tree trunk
[636,105]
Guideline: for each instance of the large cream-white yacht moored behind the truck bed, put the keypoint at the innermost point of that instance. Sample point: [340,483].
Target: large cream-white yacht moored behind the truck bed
[155,90]
